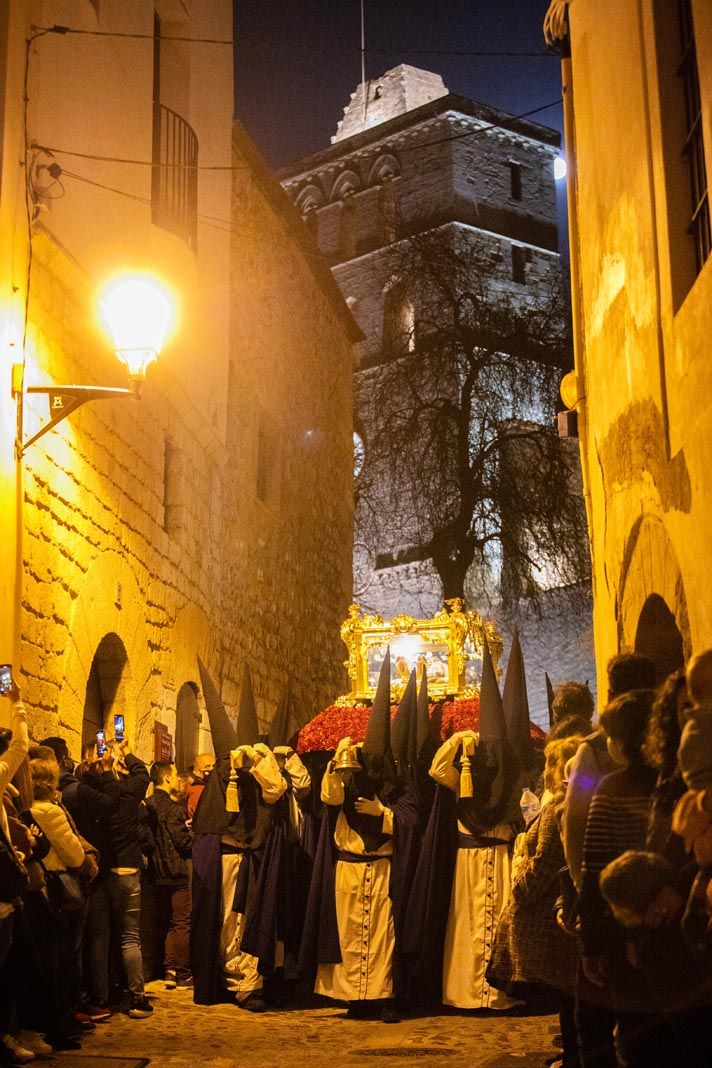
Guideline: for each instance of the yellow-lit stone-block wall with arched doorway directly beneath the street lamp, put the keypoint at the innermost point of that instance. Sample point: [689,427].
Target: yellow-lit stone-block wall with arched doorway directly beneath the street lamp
[98,558]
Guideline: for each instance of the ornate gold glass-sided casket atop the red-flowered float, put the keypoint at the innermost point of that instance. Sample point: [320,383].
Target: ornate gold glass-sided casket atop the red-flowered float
[450,646]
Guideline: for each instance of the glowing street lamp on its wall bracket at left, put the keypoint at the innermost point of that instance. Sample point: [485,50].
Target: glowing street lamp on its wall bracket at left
[138,312]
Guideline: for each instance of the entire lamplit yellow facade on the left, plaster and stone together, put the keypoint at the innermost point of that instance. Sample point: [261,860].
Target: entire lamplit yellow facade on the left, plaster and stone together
[110,555]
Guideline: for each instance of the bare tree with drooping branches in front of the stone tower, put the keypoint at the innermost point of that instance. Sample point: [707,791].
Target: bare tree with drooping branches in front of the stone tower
[463,458]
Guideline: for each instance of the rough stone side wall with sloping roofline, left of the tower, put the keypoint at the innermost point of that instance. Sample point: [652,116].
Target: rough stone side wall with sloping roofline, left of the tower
[289,566]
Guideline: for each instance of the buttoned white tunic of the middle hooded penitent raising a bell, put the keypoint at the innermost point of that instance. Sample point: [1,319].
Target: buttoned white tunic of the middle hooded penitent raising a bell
[367,935]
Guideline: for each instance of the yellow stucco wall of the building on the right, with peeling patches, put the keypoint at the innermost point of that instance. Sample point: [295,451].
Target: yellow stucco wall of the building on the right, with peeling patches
[644,366]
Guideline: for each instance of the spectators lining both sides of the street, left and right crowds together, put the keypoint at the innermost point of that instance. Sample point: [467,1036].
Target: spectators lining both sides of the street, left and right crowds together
[610,912]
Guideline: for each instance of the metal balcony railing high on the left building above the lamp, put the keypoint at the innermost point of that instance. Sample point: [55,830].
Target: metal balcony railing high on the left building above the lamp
[175,186]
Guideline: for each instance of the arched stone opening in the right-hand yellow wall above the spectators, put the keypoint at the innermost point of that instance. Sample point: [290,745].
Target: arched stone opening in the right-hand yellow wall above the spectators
[653,607]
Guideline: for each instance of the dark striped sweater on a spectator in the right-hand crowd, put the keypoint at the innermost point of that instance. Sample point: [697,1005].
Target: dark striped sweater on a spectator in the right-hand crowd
[618,821]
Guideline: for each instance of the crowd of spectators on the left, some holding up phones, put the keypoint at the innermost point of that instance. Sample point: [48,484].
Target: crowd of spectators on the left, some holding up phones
[80,850]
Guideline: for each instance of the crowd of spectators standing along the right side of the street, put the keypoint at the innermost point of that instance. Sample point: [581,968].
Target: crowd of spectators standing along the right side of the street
[611,905]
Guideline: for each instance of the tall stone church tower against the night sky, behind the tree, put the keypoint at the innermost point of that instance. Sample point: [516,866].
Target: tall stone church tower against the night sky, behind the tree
[409,156]
